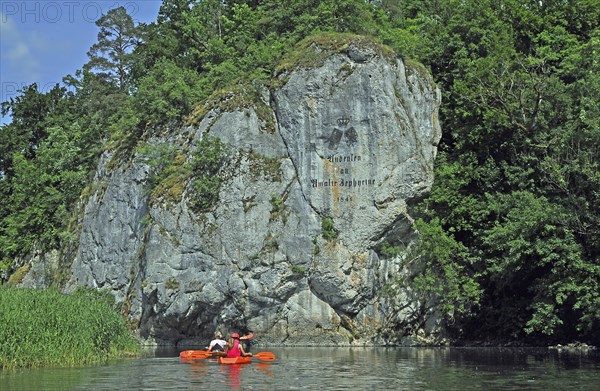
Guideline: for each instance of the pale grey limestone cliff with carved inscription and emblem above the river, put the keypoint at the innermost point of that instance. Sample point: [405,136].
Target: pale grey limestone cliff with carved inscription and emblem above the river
[290,250]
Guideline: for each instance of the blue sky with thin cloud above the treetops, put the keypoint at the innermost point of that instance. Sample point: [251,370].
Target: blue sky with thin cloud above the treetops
[42,41]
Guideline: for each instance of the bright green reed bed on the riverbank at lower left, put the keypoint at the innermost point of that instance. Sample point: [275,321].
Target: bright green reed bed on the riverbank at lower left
[45,328]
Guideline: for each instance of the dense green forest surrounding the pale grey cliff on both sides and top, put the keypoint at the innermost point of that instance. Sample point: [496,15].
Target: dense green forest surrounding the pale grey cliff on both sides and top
[512,223]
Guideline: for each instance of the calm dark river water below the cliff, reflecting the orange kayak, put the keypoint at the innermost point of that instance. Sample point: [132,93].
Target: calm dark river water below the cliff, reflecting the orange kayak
[326,369]
